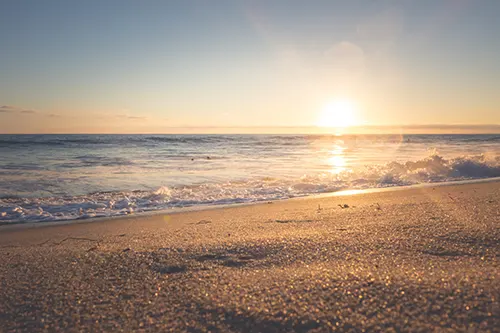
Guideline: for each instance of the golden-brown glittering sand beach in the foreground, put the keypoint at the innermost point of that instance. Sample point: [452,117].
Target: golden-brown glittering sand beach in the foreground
[422,259]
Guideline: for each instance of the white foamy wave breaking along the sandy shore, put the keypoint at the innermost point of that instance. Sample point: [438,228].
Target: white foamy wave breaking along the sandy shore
[434,168]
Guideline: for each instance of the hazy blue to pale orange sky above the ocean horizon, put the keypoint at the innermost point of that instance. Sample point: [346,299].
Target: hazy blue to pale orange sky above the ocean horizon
[130,66]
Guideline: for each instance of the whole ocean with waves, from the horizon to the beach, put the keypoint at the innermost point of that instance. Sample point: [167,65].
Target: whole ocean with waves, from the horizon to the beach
[68,177]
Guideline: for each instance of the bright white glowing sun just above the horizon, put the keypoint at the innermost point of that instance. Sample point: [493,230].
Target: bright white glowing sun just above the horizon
[338,114]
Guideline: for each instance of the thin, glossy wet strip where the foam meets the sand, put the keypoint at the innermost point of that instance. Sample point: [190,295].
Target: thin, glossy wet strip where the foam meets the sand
[209,207]
